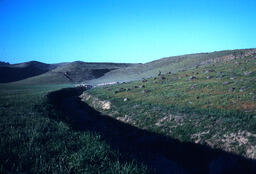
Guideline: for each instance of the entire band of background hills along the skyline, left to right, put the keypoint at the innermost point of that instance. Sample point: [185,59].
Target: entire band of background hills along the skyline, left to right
[95,73]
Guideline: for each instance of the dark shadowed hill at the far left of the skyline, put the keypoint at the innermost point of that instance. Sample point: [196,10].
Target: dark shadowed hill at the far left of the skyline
[15,72]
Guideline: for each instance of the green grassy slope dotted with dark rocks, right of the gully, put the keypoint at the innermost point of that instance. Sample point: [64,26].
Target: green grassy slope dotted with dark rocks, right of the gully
[213,104]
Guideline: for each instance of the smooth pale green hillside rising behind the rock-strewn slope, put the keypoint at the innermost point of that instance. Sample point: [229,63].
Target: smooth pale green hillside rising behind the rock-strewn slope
[169,64]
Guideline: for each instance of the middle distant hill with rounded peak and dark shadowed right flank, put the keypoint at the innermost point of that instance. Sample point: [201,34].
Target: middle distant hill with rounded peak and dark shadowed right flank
[75,72]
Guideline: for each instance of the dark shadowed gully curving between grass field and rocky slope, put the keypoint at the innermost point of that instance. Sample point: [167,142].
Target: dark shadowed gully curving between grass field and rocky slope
[162,153]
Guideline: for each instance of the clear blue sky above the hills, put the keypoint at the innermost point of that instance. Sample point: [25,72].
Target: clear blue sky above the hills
[122,30]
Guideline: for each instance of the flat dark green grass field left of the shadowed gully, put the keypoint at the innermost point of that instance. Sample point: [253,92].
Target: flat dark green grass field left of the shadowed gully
[34,139]
